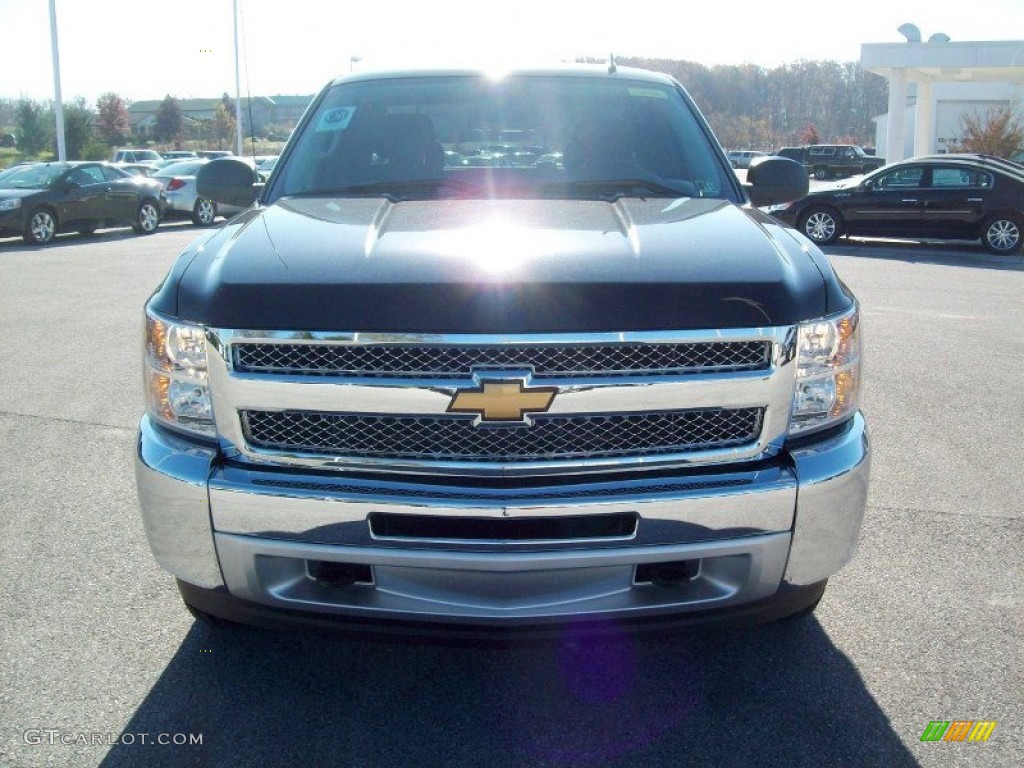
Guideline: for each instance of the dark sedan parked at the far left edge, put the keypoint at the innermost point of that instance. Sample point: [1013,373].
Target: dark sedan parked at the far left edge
[44,199]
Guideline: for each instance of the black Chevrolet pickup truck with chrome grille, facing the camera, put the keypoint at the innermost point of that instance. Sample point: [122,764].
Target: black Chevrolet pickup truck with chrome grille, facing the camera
[582,383]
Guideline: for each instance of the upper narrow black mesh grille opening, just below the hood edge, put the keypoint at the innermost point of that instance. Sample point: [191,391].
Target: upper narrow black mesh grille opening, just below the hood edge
[428,361]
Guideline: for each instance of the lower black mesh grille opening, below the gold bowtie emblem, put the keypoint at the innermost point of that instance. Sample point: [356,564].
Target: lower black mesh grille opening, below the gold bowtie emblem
[551,438]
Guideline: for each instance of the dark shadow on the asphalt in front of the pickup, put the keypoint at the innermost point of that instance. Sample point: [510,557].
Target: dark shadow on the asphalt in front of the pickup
[777,695]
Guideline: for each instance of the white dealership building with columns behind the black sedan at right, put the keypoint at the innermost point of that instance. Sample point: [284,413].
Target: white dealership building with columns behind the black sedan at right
[933,84]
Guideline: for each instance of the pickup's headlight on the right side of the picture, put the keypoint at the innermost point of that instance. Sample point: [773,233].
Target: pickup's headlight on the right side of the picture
[828,372]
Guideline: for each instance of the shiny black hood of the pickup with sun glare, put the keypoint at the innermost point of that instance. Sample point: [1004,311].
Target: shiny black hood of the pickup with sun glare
[497,267]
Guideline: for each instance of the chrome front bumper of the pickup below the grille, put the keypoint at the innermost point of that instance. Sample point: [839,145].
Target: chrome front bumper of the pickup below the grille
[259,532]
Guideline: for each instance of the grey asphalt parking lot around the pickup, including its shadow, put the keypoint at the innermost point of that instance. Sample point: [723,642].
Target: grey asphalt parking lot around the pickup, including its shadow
[101,663]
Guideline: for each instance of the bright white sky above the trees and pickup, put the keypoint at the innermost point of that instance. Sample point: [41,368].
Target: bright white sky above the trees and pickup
[186,48]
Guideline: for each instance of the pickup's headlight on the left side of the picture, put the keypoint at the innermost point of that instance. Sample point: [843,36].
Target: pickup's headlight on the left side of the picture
[177,389]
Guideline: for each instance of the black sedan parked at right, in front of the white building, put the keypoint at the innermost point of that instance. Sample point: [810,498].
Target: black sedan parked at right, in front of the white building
[946,197]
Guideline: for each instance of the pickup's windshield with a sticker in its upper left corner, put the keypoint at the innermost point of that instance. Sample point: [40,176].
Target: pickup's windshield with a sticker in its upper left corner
[520,137]
